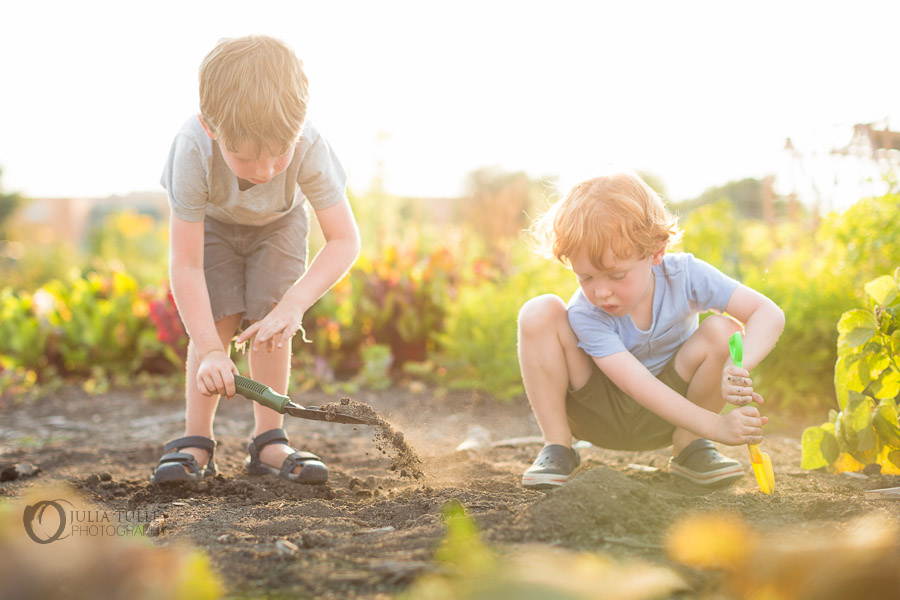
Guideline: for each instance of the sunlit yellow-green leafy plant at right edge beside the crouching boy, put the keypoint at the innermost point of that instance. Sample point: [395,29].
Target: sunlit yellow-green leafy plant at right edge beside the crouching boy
[866,430]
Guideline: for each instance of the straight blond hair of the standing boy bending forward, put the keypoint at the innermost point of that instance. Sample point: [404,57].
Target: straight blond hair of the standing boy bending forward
[253,93]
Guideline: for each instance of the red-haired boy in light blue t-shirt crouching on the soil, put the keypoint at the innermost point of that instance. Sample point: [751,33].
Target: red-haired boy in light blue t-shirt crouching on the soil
[625,364]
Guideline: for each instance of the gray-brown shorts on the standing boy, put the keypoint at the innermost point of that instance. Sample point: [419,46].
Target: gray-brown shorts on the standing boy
[248,269]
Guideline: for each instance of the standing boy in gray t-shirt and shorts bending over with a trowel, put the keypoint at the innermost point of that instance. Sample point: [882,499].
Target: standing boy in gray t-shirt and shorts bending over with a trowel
[237,177]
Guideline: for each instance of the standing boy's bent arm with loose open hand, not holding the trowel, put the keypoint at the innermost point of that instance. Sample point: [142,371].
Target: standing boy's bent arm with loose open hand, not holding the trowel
[341,249]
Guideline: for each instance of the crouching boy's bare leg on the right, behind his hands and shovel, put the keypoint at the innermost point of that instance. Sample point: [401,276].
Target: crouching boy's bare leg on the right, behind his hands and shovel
[700,362]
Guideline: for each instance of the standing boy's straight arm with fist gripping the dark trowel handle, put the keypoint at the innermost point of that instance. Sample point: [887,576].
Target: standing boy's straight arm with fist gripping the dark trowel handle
[188,282]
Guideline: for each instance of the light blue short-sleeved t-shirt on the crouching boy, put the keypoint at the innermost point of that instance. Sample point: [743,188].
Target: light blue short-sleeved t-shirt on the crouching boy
[685,287]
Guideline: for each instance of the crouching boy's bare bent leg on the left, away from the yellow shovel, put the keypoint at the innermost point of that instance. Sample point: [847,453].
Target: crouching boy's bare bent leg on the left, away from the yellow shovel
[551,361]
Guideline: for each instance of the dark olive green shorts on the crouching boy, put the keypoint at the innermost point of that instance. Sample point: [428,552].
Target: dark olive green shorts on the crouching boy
[604,415]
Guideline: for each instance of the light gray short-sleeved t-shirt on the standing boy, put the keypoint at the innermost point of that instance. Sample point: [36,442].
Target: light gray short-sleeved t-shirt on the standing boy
[200,184]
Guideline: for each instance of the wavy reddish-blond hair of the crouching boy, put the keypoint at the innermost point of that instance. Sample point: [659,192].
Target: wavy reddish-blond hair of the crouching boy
[619,212]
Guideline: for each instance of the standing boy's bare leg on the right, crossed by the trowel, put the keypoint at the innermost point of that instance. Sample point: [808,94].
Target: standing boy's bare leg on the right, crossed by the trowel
[271,369]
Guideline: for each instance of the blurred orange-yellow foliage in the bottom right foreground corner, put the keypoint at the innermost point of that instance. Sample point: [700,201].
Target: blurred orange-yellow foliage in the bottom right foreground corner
[858,559]
